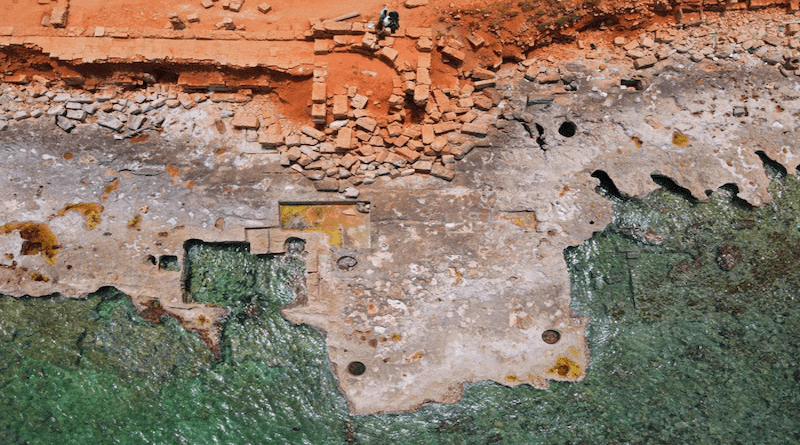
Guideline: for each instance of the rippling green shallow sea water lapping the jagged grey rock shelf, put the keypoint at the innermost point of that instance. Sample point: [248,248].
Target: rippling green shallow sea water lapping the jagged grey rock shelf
[693,325]
